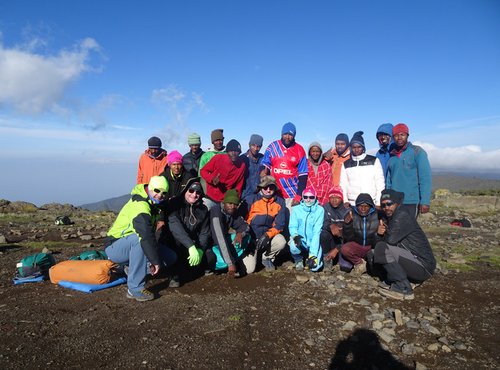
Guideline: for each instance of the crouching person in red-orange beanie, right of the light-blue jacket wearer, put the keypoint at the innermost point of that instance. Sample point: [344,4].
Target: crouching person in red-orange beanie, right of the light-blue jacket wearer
[331,232]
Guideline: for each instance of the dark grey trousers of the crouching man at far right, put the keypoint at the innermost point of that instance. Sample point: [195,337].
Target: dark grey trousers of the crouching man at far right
[400,264]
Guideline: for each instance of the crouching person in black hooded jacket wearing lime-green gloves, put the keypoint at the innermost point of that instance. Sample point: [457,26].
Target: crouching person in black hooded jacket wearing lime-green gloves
[188,232]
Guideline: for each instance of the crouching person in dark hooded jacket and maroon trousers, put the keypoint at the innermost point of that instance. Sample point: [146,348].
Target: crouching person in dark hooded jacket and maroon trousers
[359,232]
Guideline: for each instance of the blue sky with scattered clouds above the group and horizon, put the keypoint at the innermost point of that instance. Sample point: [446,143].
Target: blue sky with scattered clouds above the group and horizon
[85,83]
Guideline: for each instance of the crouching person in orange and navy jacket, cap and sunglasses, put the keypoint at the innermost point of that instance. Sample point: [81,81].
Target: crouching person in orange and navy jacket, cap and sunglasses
[267,218]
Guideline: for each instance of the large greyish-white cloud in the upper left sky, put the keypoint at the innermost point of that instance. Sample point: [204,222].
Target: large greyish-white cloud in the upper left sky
[35,83]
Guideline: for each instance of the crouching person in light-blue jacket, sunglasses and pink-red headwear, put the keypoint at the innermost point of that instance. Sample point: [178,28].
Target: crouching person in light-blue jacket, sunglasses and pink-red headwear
[305,225]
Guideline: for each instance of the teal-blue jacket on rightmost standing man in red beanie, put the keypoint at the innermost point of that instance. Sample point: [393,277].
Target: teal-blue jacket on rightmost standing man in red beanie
[410,173]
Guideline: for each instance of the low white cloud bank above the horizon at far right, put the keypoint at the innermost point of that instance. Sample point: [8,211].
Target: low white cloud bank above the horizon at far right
[469,158]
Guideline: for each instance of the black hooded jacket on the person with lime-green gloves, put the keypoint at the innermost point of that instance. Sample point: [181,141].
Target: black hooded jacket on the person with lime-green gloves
[188,224]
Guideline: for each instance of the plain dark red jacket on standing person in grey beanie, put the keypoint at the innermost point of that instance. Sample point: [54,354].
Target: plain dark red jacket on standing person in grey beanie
[231,176]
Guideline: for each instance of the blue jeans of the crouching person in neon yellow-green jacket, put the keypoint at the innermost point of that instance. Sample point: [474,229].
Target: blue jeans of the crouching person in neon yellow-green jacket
[128,250]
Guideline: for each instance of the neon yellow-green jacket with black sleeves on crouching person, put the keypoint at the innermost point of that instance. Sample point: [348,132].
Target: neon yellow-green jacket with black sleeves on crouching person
[139,215]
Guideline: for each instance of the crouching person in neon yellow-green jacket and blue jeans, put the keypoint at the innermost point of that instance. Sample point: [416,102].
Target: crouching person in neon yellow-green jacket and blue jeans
[131,239]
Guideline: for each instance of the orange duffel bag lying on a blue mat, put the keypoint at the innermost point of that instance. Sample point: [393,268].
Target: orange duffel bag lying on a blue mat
[86,272]
